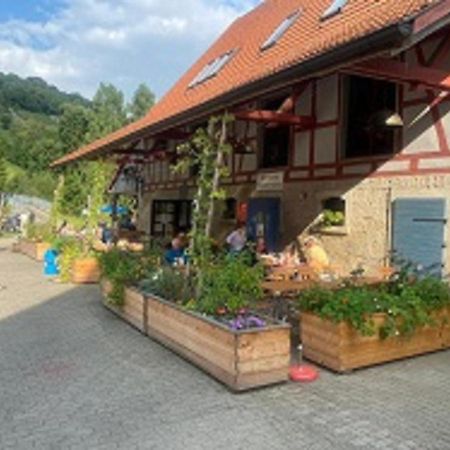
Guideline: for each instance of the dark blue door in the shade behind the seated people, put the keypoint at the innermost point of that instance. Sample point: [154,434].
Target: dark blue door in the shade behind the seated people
[263,221]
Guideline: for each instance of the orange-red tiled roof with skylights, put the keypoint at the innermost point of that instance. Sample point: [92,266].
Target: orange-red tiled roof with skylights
[307,38]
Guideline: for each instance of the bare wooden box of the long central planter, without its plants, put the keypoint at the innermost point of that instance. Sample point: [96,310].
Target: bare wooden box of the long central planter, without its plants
[242,360]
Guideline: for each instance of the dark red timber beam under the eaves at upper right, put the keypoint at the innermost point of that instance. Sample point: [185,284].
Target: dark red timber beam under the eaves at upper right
[401,72]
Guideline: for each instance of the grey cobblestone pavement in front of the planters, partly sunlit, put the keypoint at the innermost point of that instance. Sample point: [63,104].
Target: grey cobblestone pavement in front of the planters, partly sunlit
[72,376]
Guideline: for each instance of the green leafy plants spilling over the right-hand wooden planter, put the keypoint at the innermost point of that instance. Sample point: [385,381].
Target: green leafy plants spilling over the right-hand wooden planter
[407,304]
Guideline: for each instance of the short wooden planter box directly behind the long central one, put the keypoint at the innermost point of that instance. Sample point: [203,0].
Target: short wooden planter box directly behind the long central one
[133,309]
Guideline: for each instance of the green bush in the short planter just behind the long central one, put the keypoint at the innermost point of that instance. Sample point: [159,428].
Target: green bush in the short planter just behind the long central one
[121,269]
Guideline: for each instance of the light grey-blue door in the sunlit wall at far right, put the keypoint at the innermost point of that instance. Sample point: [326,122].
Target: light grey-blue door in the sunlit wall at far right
[418,232]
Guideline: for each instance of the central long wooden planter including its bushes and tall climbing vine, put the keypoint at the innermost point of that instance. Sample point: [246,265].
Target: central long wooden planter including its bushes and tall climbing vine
[203,311]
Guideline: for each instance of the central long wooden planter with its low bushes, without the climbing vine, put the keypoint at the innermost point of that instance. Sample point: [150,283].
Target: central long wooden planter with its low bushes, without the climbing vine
[218,331]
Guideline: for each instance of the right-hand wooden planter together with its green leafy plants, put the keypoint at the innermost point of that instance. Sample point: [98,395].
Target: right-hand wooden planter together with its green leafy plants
[358,326]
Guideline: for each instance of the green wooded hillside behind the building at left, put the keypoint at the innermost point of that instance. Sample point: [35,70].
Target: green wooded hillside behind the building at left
[39,123]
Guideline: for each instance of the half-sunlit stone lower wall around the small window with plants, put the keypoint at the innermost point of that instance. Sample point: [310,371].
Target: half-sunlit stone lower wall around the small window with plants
[366,237]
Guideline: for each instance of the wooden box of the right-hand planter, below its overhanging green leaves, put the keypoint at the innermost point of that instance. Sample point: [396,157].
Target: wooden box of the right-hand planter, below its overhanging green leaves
[341,348]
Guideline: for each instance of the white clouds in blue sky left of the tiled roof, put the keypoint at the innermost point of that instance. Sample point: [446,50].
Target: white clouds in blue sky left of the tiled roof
[124,42]
